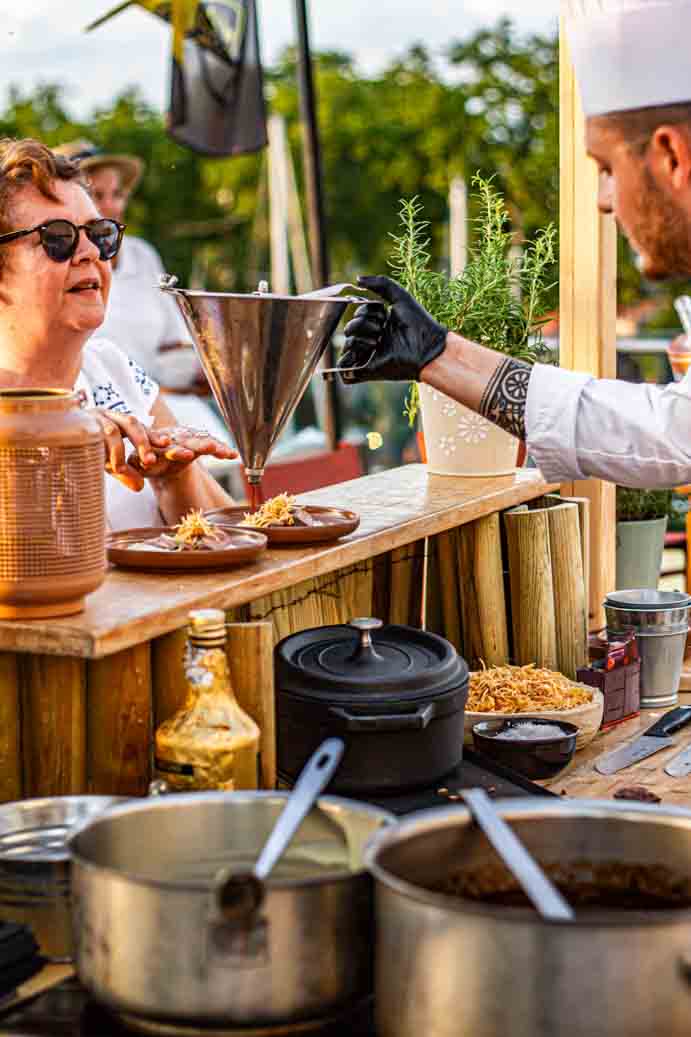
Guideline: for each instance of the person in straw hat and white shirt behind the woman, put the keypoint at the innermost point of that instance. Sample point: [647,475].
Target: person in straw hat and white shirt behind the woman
[142,320]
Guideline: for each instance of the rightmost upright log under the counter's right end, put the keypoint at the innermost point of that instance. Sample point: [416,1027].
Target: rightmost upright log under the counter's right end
[570,602]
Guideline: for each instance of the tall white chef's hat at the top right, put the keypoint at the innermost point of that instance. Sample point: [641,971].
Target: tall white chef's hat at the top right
[630,54]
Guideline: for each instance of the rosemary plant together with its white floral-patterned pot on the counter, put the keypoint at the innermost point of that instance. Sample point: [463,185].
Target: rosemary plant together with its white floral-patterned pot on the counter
[497,301]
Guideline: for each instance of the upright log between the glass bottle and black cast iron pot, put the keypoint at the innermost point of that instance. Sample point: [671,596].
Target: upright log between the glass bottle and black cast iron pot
[251,651]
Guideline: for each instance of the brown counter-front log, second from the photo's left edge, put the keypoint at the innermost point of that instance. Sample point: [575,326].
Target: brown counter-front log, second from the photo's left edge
[53,696]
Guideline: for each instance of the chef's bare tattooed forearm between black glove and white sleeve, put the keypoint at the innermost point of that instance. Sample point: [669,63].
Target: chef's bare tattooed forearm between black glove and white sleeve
[484,380]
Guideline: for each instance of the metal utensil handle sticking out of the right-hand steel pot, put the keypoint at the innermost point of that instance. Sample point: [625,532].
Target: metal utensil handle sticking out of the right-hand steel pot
[542,892]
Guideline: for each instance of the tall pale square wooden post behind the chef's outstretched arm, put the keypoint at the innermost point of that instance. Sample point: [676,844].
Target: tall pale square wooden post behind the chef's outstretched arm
[588,310]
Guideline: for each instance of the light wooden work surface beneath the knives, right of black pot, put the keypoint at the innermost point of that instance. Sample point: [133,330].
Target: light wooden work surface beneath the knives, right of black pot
[583,781]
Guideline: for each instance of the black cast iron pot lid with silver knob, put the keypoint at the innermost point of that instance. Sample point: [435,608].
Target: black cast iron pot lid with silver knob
[368,662]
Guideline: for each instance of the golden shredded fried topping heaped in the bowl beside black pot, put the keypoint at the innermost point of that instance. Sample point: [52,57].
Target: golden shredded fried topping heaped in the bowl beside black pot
[522,689]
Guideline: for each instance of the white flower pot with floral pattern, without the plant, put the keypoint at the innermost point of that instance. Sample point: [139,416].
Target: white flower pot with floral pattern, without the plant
[460,442]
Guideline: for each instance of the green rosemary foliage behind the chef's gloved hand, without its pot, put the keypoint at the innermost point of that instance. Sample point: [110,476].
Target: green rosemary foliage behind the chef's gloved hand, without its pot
[496,301]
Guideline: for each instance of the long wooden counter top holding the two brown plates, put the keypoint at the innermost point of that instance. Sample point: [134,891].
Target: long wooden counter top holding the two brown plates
[397,508]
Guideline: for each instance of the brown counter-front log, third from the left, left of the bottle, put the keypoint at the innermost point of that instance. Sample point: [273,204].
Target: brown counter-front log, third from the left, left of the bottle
[120,723]
